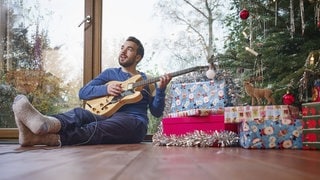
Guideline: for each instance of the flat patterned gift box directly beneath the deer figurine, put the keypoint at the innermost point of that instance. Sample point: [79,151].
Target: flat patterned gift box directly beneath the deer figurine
[253,113]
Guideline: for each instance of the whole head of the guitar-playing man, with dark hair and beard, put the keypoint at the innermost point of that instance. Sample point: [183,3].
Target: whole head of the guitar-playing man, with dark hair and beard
[132,52]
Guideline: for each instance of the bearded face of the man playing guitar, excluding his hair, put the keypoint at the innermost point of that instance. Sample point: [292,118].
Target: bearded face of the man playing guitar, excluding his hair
[128,54]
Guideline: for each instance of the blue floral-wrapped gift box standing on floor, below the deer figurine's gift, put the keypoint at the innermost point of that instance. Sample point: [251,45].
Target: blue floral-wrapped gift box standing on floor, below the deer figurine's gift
[271,134]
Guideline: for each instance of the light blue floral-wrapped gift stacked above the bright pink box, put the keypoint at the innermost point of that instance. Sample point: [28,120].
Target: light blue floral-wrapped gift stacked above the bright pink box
[198,95]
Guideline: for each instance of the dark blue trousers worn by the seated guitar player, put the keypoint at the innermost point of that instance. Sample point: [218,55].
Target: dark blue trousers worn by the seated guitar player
[79,127]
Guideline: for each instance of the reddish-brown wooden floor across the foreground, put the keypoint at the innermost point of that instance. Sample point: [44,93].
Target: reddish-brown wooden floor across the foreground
[148,162]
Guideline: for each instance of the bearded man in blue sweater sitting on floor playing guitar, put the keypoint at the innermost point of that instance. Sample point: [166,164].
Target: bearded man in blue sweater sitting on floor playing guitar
[79,126]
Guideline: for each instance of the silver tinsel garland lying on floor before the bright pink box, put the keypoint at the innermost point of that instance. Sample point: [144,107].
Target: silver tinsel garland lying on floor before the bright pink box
[197,139]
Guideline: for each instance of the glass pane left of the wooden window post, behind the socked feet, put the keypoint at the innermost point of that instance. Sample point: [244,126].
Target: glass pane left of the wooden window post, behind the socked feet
[41,55]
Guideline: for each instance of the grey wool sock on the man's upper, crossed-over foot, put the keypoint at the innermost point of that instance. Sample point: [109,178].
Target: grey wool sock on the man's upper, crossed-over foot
[25,113]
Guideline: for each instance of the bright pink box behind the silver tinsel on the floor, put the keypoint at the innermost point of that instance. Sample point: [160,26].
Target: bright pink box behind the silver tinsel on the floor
[183,125]
